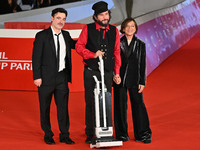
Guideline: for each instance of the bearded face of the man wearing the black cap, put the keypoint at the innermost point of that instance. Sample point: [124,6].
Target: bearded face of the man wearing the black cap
[103,18]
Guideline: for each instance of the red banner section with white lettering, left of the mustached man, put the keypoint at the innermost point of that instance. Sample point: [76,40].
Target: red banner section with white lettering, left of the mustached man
[16,64]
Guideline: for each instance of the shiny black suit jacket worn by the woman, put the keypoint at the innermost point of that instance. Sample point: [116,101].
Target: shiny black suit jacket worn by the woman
[133,68]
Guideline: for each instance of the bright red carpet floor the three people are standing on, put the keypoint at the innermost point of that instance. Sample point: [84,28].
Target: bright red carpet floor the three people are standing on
[171,97]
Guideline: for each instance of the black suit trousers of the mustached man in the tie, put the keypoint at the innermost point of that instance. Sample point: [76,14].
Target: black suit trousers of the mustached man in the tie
[61,93]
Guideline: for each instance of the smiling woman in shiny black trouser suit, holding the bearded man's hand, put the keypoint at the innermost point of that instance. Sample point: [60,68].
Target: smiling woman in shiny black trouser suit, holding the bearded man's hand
[133,77]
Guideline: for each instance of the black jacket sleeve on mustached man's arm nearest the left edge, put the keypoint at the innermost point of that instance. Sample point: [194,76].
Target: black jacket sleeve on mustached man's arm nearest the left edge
[37,56]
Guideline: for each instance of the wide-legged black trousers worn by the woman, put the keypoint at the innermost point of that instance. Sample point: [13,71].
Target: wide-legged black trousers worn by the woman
[139,112]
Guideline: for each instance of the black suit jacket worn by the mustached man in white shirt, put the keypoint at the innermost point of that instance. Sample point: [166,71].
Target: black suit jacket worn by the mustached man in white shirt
[44,56]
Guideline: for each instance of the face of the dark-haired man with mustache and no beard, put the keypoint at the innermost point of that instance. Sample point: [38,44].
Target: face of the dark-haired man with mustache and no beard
[58,21]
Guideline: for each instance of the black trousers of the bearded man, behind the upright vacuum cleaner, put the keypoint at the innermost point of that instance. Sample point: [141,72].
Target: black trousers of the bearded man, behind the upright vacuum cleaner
[89,85]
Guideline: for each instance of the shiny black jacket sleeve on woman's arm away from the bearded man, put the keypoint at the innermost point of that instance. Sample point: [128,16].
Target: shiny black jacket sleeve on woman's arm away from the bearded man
[142,64]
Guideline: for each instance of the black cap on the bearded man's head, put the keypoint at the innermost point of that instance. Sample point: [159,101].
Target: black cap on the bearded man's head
[100,7]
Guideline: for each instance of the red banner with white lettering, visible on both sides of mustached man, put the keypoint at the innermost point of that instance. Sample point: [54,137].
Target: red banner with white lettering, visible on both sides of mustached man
[16,66]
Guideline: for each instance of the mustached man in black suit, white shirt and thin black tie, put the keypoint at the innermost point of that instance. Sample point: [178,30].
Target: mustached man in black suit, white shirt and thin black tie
[51,61]
